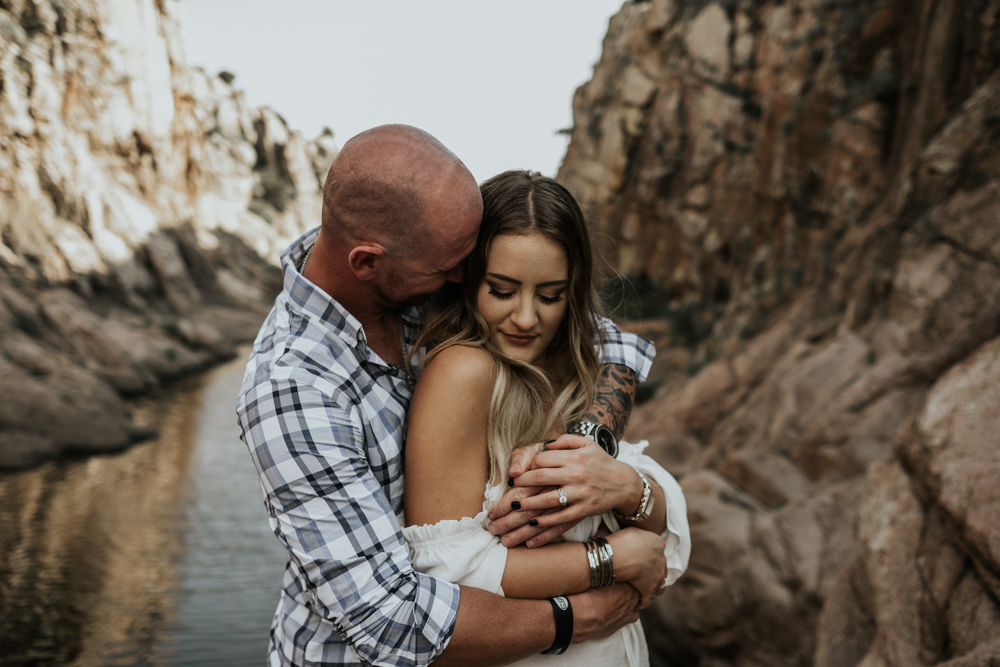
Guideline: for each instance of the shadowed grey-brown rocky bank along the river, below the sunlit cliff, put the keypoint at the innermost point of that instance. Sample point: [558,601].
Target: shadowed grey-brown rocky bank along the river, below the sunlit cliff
[70,361]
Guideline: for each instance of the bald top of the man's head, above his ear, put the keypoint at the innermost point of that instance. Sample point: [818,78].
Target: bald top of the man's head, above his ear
[390,185]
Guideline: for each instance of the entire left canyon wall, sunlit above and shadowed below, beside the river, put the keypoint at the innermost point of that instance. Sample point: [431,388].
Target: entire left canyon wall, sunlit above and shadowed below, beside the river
[137,196]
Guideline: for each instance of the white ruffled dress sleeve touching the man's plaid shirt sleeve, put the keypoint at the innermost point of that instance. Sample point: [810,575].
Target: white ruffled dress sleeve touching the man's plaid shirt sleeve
[462,552]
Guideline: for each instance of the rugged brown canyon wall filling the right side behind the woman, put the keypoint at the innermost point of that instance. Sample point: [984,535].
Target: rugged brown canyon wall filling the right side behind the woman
[814,187]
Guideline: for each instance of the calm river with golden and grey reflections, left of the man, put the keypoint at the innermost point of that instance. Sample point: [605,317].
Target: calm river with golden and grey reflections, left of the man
[158,555]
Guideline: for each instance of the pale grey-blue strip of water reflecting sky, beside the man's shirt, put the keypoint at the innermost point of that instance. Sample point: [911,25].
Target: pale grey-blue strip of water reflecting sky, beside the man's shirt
[232,566]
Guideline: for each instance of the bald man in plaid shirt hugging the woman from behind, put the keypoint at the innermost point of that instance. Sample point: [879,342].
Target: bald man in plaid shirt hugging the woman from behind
[322,411]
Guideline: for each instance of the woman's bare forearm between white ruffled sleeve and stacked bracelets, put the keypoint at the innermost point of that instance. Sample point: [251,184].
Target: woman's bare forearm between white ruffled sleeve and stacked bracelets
[555,569]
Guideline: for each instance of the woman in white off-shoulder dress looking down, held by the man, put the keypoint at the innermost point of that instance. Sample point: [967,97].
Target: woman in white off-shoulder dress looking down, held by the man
[511,362]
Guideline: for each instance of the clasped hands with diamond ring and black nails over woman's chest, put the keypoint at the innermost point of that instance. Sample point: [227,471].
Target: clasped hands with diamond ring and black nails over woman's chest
[592,482]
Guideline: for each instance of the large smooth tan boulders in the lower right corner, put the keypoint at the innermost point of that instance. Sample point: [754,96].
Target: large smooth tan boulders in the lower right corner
[925,585]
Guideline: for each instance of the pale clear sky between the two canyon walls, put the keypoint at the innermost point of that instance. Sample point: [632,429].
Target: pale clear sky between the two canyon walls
[492,79]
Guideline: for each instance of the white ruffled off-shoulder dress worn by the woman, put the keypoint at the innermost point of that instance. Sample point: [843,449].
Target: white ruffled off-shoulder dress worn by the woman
[464,552]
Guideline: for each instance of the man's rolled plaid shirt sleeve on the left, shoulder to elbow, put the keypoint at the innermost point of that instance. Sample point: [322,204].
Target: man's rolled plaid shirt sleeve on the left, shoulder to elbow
[327,508]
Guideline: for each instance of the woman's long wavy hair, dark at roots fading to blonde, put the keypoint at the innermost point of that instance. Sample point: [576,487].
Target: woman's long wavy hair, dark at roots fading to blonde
[528,401]
